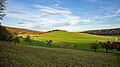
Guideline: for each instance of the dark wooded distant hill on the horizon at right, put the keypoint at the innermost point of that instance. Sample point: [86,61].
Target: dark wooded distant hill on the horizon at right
[115,31]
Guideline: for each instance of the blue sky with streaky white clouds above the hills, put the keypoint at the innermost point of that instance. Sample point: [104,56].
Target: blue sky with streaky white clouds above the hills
[71,15]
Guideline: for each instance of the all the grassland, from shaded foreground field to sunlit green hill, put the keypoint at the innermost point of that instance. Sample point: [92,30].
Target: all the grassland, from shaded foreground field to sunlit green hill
[39,54]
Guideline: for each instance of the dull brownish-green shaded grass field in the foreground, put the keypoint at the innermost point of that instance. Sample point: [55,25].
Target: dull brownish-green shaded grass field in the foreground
[34,56]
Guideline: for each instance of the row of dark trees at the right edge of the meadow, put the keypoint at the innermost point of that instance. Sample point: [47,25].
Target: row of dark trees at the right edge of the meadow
[106,45]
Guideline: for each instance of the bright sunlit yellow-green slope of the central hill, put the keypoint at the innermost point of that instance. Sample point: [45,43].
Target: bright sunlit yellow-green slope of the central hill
[71,36]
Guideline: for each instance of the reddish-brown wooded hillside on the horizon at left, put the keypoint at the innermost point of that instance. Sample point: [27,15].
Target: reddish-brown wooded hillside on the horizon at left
[22,31]
